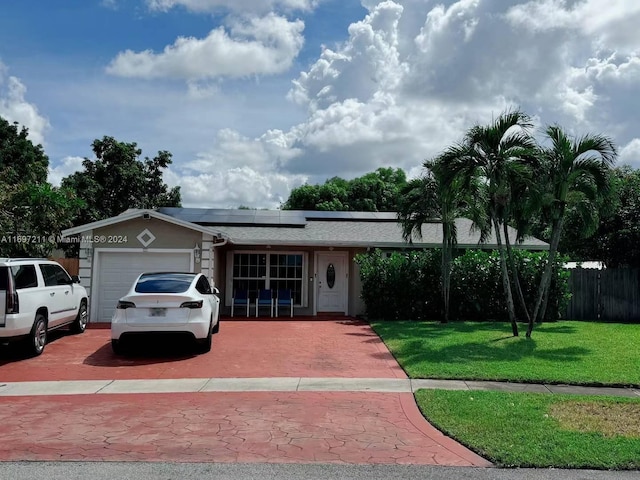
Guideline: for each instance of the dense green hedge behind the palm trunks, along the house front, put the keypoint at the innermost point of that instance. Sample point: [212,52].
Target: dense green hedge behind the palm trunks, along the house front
[407,285]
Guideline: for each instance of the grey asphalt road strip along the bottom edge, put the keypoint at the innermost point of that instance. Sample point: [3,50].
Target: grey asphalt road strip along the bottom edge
[234,471]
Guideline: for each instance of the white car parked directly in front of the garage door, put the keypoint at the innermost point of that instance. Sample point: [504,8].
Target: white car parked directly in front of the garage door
[167,302]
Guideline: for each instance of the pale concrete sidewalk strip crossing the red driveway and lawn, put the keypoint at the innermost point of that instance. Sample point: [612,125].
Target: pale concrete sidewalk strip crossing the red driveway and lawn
[288,384]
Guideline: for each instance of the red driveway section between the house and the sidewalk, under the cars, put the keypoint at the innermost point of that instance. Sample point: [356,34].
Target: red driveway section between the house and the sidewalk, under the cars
[246,349]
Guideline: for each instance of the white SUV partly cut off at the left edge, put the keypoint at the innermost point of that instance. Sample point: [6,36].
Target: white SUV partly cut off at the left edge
[36,296]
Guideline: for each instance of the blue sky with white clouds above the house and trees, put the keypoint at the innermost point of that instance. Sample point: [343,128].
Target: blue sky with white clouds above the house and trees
[255,97]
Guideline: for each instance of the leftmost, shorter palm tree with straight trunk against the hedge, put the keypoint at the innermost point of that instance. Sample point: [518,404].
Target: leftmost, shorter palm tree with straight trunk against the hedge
[423,200]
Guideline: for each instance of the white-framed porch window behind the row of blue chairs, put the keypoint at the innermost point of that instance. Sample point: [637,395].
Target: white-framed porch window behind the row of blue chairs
[255,271]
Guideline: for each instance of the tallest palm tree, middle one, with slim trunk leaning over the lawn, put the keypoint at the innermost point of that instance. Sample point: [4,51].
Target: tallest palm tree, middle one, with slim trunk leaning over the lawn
[495,156]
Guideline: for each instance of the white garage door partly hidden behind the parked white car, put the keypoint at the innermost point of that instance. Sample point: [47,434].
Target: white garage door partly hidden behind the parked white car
[118,270]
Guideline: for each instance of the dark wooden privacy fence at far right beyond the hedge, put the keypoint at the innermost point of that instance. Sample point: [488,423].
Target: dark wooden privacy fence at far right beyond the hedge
[612,294]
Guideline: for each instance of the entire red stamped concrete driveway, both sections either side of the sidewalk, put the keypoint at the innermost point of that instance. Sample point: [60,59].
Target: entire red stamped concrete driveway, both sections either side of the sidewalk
[248,426]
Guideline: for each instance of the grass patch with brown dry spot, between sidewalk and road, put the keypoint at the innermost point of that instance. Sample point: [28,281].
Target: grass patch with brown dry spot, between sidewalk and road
[538,430]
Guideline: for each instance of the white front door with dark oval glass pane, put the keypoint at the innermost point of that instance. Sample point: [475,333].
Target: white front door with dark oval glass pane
[331,284]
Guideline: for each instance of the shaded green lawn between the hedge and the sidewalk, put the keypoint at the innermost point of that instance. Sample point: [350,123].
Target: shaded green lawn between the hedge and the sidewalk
[579,353]
